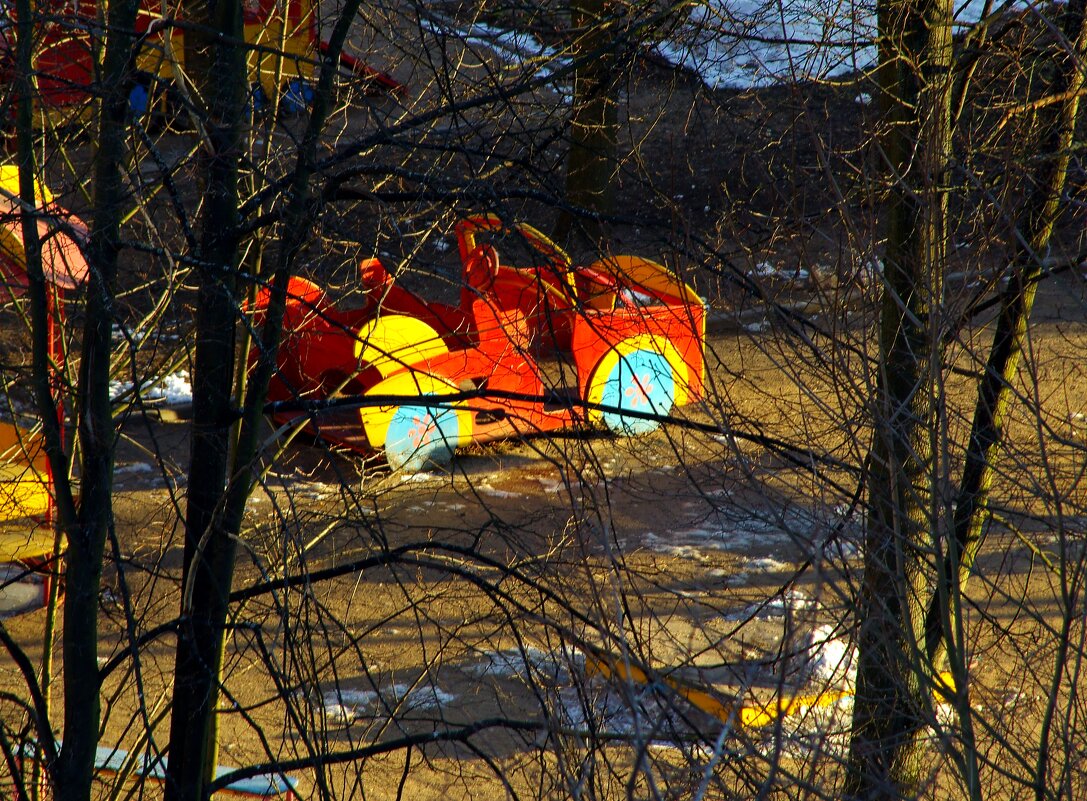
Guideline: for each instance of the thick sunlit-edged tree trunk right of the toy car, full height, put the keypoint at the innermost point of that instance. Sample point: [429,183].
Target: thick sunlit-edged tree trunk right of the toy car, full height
[886,749]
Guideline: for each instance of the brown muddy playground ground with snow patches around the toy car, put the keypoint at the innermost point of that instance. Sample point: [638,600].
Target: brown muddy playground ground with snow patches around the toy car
[723,556]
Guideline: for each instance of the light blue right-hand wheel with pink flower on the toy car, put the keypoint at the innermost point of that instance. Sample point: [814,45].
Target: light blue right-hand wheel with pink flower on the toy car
[640,382]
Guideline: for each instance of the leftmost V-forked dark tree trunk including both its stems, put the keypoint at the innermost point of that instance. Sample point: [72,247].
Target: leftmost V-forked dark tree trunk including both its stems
[88,525]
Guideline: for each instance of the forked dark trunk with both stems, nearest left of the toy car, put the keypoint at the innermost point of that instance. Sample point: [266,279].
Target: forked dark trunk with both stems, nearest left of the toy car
[218,496]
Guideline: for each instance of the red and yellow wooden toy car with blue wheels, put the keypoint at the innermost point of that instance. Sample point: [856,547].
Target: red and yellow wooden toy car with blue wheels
[532,348]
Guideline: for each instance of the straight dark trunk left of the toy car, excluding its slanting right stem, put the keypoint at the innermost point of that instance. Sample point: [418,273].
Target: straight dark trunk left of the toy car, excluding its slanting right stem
[217,64]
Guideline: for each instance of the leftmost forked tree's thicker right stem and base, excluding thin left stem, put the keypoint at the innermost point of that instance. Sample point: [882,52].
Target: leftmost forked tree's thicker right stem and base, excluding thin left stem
[88,532]
